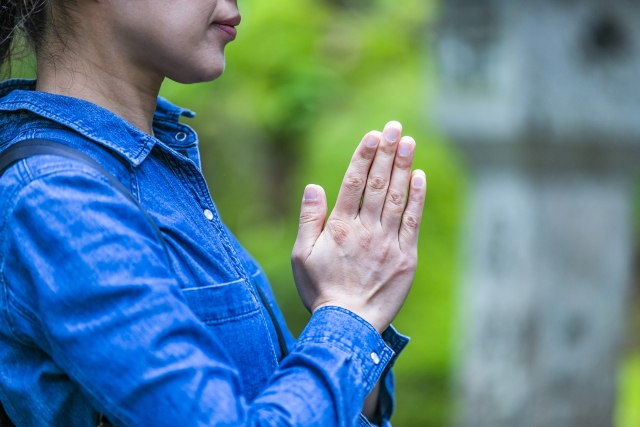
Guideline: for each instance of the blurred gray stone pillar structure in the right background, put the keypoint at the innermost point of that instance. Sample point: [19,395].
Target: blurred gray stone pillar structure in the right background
[543,98]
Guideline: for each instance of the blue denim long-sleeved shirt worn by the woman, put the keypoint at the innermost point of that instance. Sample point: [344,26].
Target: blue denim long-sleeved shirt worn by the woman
[94,319]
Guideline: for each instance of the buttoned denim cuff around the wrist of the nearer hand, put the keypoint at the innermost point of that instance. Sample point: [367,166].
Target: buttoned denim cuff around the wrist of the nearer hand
[352,334]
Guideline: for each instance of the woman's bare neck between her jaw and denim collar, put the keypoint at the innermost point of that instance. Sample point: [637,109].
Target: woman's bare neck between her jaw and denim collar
[94,71]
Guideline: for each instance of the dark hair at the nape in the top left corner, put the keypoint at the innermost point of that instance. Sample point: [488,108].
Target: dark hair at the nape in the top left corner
[25,19]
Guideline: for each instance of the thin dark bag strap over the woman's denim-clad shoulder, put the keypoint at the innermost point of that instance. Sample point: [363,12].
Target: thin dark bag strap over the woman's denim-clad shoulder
[35,147]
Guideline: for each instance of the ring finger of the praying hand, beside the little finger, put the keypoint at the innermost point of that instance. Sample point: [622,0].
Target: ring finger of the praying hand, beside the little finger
[399,186]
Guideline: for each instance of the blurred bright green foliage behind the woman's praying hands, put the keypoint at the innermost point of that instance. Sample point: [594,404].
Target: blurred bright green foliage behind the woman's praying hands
[305,80]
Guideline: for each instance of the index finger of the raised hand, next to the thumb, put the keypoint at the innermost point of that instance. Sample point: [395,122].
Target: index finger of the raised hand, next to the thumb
[350,195]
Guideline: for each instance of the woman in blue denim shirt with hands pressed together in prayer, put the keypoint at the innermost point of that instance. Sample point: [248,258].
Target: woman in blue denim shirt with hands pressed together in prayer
[103,318]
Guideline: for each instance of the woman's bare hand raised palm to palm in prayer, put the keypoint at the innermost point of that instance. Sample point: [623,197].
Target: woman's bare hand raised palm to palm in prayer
[365,257]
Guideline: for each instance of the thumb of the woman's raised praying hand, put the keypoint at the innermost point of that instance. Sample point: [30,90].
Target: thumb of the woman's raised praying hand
[312,216]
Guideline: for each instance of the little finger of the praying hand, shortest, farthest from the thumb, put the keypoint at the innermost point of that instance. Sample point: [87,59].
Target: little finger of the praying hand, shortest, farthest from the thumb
[408,234]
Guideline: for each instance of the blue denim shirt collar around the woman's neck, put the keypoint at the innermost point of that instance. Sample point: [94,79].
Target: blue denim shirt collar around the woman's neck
[90,120]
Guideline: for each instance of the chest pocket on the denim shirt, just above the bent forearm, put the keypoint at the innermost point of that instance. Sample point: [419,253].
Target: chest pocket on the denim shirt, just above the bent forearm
[233,314]
